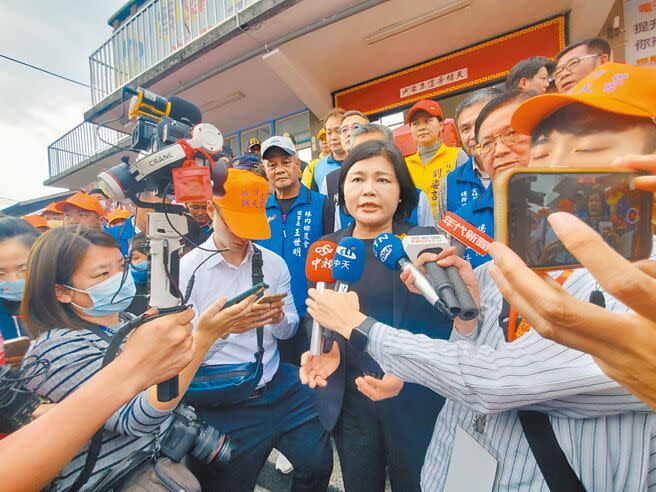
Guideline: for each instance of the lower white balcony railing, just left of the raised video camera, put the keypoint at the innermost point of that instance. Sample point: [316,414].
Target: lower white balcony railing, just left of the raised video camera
[81,143]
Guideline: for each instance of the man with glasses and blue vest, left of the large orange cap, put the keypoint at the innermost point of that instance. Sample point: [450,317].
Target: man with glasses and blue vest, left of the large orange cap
[500,148]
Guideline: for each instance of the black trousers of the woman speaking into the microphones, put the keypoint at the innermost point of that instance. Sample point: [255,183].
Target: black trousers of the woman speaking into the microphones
[391,434]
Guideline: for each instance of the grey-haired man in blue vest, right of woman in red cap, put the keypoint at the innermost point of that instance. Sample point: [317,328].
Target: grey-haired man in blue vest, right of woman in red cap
[467,182]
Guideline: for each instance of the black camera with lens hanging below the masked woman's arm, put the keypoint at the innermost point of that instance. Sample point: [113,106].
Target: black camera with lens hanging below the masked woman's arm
[189,433]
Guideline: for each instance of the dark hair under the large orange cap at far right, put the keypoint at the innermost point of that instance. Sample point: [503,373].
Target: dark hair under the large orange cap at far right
[580,120]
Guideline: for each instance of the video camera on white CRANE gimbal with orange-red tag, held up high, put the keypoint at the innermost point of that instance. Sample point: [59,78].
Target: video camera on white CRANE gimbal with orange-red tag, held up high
[182,151]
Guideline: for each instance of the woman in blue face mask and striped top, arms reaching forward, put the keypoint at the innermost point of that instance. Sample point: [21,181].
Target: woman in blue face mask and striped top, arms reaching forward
[76,289]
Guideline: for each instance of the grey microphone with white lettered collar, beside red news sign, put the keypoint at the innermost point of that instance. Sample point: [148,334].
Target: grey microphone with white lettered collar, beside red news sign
[447,281]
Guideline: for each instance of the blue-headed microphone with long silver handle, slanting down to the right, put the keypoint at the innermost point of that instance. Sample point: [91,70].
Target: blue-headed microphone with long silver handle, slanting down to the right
[388,249]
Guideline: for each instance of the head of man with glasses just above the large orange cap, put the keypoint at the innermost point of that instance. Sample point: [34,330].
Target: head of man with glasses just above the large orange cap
[579,59]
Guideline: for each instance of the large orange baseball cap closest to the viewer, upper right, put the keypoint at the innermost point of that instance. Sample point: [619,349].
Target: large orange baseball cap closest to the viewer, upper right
[614,87]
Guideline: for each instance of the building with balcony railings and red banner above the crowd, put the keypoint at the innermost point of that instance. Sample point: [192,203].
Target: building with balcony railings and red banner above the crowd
[257,68]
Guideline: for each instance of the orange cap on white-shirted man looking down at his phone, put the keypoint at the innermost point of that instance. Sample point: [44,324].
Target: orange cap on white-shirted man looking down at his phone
[243,206]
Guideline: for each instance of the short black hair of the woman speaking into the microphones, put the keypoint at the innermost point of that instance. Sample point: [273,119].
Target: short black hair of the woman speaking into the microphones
[375,148]
